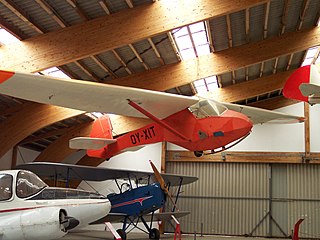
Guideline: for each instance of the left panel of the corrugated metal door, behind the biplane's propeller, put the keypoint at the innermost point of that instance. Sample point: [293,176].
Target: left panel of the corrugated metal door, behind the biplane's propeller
[227,199]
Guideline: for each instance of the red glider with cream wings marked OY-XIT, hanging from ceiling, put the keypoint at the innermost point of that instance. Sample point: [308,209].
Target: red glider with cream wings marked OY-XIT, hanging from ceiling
[195,123]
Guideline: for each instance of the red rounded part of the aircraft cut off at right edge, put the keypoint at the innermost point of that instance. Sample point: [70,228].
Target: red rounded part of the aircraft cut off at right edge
[291,87]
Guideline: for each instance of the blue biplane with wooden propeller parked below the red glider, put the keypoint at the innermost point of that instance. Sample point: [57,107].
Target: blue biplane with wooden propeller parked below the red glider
[131,206]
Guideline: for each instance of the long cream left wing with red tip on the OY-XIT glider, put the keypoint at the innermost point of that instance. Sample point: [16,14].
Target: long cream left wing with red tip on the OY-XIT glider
[91,96]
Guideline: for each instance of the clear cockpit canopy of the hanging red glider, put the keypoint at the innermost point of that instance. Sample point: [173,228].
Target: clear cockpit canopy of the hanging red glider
[206,108]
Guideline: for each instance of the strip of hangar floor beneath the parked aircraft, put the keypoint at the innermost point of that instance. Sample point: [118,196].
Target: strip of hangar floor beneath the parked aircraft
[99,235]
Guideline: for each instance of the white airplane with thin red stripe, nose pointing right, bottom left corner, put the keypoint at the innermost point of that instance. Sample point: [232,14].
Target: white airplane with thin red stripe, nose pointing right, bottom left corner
[29,209]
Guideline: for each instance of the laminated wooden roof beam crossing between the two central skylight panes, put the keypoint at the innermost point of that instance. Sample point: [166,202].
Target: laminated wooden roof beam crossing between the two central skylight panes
[185,72]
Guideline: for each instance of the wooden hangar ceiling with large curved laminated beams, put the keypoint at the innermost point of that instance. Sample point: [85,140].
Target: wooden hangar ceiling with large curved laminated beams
[255,45]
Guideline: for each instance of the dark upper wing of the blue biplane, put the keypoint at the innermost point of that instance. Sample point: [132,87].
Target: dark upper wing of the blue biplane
[77,172]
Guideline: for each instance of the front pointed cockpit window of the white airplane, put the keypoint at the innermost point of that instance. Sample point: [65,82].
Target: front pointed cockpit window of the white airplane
[28,184]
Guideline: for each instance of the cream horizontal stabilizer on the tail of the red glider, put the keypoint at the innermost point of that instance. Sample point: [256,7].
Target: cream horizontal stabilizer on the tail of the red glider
[89,143]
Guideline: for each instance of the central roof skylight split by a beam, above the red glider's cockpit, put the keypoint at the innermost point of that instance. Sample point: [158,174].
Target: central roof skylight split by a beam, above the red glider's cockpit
[193,41]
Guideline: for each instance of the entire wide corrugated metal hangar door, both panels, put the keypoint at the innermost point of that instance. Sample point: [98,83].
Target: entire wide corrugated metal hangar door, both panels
[249,199]
